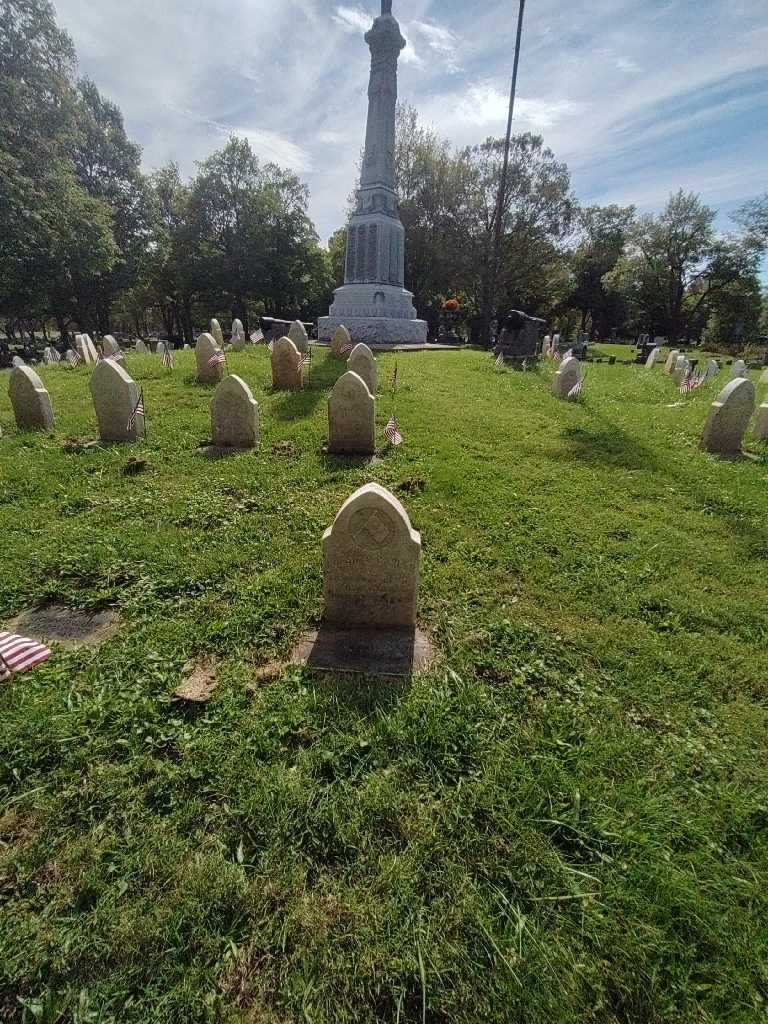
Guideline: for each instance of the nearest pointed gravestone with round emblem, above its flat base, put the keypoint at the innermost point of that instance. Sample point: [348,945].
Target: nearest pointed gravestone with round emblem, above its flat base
[371,563]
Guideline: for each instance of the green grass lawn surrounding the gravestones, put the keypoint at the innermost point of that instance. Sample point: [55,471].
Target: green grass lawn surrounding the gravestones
[566,821]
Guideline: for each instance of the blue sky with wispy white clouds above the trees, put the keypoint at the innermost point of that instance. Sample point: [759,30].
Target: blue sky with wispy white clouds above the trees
[638,97]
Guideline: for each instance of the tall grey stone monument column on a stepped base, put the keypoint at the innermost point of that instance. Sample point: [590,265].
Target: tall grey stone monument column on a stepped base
[373,304]
